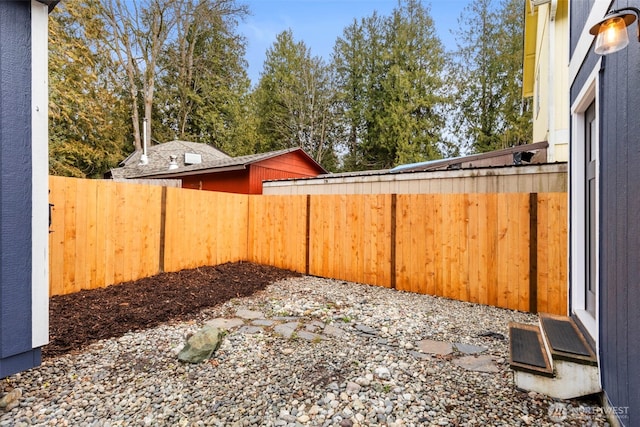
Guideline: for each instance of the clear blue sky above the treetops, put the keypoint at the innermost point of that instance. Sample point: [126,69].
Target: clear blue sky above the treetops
[320,22]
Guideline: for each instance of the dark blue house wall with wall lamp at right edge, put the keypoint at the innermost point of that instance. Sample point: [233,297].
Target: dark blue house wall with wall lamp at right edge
[618,104]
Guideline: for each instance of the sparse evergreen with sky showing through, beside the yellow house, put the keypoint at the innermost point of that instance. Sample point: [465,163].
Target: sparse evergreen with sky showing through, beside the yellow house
[488,77]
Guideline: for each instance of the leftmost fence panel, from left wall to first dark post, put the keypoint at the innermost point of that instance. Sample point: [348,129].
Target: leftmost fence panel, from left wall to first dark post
[102,233]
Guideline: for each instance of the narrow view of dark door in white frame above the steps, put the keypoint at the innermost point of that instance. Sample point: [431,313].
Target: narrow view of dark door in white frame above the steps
[591,153]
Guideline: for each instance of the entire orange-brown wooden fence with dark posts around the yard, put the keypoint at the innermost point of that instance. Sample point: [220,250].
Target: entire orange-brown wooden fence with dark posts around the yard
[502,249]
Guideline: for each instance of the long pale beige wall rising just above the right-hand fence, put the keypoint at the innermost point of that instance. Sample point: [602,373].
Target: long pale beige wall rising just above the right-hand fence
[521,179]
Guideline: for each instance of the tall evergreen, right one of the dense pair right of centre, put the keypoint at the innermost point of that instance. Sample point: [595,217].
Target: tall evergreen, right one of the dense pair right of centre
[412,86]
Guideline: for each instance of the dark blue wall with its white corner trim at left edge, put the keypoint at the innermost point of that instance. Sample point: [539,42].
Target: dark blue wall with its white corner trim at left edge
[23,211]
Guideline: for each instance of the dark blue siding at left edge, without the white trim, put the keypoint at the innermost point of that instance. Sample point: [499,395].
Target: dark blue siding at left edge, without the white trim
[16,351]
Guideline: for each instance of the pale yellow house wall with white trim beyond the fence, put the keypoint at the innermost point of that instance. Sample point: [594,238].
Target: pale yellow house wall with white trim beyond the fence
[549,76]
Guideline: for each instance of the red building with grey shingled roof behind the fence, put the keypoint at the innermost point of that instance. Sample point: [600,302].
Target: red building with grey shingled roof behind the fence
[202,167]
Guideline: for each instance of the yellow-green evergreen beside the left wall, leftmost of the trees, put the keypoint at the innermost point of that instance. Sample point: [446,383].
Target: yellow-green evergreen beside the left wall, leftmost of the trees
[88,119]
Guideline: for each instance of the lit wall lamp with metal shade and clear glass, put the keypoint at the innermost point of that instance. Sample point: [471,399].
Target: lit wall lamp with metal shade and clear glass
[611,32]
